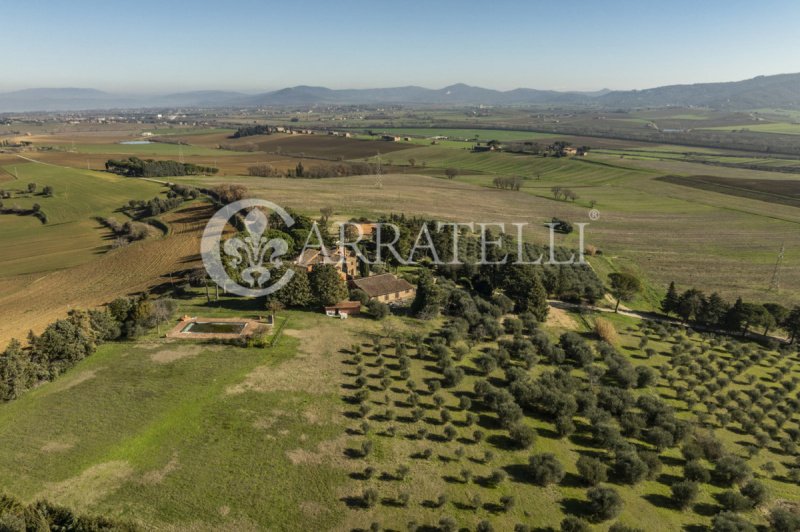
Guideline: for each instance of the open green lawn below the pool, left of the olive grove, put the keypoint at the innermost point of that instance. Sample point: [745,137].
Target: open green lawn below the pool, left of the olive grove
[178,435]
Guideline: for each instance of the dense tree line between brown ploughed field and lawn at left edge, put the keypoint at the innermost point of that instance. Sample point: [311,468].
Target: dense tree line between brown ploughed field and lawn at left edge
[66,342]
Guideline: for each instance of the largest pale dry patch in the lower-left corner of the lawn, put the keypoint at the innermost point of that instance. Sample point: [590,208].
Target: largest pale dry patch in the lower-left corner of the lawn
[89,487]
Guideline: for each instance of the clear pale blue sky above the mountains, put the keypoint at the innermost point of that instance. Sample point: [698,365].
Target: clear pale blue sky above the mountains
[148,46]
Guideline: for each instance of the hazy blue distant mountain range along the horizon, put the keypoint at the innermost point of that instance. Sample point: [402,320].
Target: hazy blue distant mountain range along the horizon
[780,91]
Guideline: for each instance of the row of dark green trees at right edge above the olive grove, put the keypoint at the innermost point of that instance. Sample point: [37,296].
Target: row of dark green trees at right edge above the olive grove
[714,312]
